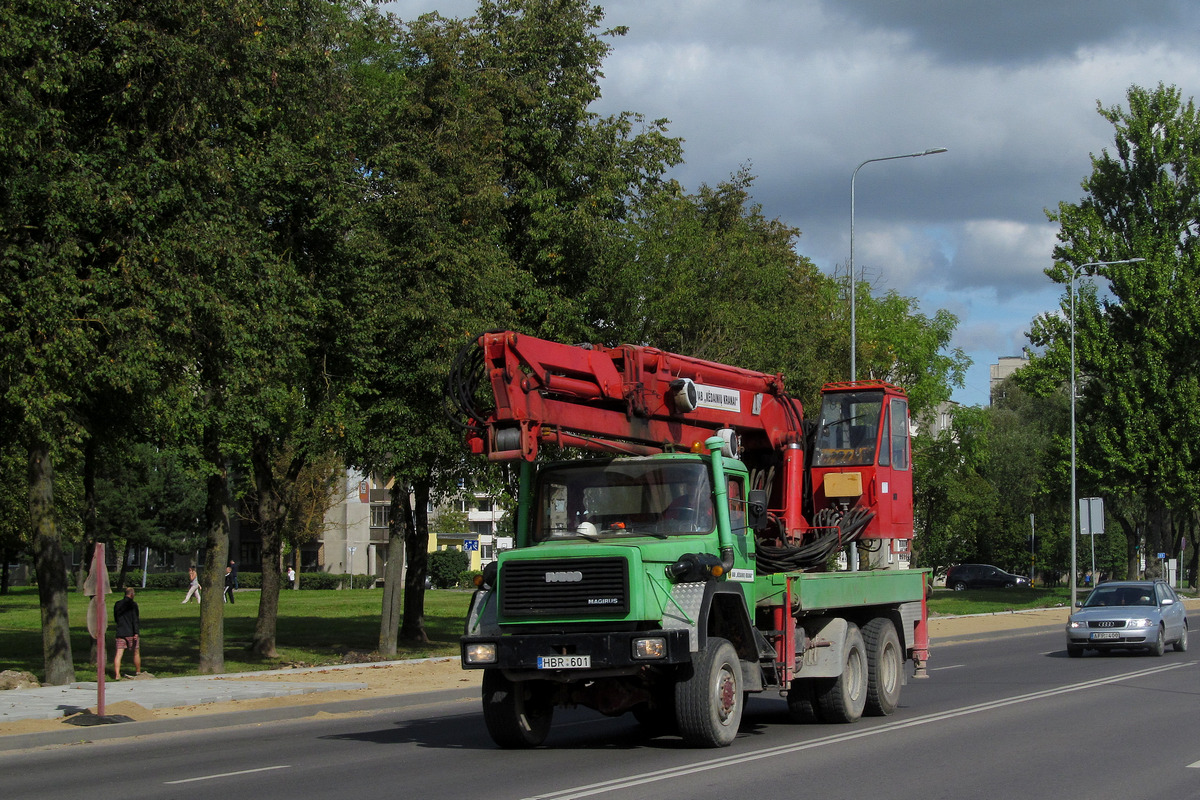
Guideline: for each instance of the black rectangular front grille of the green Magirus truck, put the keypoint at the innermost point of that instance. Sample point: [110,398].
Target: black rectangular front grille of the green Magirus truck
[565,587]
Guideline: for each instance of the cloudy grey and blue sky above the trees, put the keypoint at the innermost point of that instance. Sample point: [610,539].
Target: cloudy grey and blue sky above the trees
[803,92]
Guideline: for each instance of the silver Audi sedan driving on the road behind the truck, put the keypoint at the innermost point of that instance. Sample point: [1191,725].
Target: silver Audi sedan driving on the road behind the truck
[1139,615]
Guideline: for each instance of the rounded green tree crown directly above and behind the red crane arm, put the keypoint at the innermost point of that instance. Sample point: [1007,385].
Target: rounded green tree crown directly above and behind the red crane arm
[709,275]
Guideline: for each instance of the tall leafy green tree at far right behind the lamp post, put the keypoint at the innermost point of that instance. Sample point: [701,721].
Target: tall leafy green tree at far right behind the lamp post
[1139,412]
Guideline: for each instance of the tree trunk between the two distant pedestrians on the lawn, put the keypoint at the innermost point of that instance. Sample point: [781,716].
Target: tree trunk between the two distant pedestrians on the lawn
[212,658]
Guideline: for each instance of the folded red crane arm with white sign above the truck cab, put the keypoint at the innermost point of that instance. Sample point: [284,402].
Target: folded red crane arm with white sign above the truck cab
[628,400]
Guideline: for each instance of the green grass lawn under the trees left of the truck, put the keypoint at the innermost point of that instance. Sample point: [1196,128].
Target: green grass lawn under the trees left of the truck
[315,628]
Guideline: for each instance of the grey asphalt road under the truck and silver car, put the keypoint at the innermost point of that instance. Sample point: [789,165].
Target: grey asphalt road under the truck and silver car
[1010,717]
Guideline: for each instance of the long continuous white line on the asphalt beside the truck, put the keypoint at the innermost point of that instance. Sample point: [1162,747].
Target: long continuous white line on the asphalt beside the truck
[785,750]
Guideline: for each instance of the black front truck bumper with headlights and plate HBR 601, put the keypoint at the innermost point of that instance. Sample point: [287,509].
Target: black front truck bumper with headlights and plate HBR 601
[614,653]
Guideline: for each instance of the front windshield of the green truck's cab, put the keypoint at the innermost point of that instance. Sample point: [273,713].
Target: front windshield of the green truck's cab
[623,498]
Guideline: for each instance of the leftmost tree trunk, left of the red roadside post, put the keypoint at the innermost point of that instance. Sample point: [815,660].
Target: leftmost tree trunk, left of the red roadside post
[51,568]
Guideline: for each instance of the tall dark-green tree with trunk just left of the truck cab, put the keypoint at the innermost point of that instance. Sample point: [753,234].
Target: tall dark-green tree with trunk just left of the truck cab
[494,194]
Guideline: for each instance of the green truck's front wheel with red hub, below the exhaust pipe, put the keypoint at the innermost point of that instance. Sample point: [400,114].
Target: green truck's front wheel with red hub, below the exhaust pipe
[709,705]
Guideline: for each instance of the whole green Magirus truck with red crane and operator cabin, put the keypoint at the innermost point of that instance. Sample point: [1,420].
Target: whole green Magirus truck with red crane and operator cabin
[719,545]
